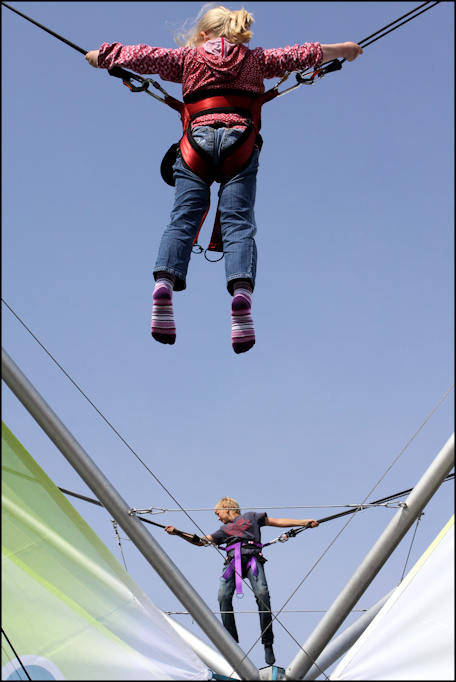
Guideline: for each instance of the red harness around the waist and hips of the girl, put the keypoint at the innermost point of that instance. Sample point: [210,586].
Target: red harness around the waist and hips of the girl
[236,157]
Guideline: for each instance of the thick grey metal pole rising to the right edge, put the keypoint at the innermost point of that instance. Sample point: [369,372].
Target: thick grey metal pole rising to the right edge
[375,559]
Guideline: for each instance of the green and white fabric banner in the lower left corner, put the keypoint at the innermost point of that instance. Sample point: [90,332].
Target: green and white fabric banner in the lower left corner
[69,609]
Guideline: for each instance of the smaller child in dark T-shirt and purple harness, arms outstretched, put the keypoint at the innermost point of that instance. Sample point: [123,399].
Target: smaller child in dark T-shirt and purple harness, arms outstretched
[242,532]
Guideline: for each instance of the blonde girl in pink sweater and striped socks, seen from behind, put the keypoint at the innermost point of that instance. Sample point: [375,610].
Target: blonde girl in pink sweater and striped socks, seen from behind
[222,81]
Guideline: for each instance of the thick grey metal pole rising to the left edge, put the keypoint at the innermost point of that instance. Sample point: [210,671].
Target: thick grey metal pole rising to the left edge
[119,509]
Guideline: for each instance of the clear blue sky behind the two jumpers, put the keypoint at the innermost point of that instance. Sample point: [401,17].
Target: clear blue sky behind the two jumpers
[353,307]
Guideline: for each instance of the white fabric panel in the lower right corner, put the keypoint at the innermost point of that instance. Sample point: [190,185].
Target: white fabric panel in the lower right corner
[412,637]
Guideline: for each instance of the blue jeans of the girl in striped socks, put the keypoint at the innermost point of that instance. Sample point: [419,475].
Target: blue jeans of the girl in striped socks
[191,199]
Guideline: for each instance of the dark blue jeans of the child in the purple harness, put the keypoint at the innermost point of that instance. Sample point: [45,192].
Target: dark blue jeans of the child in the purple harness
[261,591]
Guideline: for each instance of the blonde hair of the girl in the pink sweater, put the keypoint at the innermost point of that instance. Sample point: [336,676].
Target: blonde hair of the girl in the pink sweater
[219,21]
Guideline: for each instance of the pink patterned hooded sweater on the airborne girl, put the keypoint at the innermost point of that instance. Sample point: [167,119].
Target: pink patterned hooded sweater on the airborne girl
[216,64]
